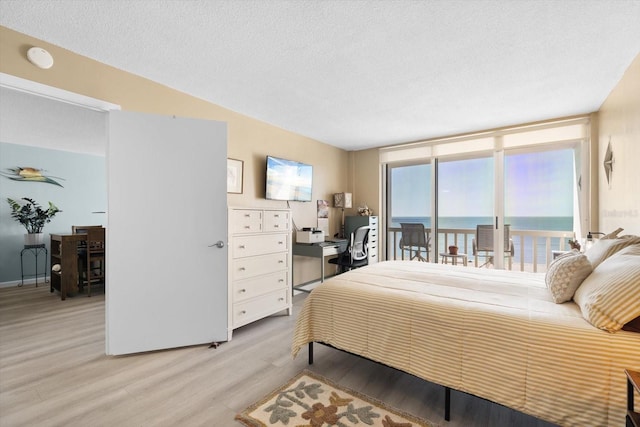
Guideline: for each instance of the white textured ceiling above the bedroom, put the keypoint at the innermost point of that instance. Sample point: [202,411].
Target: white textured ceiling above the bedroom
[358,73]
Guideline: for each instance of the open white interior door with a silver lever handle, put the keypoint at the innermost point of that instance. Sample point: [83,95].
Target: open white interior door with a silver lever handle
[166,279]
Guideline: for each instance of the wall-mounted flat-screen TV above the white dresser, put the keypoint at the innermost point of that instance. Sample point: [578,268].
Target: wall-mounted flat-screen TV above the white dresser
[288,180]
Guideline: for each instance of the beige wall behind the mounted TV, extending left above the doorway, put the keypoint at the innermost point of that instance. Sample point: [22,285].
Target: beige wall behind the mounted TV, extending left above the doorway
[249,140]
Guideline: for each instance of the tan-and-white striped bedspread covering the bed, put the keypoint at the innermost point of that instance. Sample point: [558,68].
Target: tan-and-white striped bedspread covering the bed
[492,333]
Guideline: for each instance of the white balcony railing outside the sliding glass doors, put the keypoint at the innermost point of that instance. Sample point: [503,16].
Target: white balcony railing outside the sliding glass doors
[533,249]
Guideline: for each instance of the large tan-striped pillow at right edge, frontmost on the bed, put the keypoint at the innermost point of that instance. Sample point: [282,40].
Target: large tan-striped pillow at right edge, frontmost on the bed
[610,297]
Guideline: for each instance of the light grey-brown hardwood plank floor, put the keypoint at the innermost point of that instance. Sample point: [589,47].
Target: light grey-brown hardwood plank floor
[53,372]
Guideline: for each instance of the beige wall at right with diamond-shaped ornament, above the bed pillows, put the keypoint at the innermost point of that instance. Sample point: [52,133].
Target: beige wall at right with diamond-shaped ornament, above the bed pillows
[619,122]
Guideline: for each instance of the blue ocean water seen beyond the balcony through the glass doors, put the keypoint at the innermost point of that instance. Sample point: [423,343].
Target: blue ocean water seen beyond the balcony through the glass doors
[516,223]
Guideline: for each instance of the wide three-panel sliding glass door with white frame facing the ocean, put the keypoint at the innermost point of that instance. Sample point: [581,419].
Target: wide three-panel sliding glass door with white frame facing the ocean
[527,187]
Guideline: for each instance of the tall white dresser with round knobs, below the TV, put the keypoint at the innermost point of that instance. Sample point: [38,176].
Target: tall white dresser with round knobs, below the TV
[259,264]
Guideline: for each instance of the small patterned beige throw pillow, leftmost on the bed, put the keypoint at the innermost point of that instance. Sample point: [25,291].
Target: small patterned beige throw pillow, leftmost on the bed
[565,274]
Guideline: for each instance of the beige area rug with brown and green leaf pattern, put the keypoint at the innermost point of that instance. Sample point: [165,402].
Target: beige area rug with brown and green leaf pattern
[309,400]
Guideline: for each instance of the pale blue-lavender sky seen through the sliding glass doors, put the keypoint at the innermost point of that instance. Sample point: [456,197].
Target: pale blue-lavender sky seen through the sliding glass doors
[537,184]
